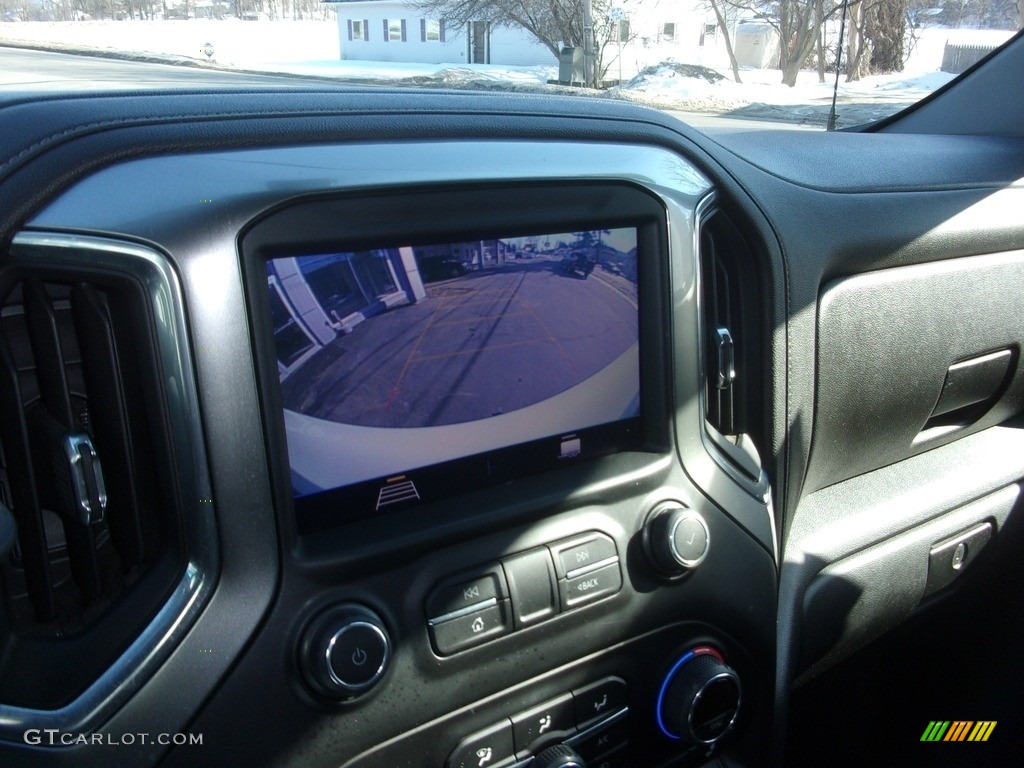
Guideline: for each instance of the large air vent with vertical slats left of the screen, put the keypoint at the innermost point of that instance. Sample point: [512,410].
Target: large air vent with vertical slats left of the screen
[91,467]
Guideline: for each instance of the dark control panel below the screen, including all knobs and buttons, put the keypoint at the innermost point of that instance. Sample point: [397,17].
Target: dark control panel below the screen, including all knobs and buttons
[578,638]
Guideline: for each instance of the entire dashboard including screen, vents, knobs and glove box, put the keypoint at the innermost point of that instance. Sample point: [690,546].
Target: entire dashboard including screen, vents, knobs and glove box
[380,429]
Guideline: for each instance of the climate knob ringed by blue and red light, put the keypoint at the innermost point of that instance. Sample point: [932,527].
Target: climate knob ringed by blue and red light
[700,700]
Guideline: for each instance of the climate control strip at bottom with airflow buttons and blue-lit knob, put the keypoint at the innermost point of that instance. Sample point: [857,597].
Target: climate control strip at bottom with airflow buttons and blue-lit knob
[617,720]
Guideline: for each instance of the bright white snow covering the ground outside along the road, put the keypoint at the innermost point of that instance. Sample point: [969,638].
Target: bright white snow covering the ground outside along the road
[313,49]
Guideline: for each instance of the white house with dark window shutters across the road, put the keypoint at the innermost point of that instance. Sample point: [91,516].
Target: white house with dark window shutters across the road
[651,31]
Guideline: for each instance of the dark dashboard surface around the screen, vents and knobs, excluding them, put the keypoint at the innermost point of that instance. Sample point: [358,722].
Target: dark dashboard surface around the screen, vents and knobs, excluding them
[183,177]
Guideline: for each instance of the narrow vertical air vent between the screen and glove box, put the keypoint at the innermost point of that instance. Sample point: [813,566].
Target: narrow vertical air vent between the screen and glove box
[733,339]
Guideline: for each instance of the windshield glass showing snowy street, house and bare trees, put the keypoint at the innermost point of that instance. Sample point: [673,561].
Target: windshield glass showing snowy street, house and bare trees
[796,64]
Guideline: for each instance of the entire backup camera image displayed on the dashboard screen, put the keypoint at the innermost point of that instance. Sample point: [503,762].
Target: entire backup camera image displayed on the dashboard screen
[397,359]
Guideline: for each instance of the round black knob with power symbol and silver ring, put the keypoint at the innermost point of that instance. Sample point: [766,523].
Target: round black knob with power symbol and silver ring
[345,652]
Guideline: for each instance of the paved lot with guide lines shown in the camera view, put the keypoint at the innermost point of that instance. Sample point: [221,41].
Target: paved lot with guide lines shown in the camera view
[477,347]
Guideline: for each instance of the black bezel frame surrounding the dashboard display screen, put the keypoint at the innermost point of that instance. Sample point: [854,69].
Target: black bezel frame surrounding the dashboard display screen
[391,219]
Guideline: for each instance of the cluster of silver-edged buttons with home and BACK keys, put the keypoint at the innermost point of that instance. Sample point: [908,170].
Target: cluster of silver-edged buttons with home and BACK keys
[522,590]
